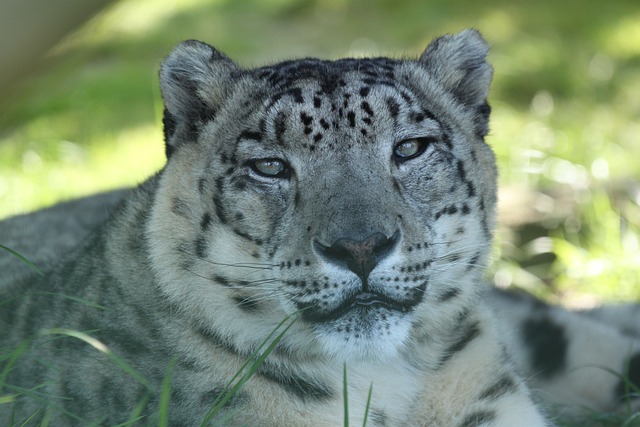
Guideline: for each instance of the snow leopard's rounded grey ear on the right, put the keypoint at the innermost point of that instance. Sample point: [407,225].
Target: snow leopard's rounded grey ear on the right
[459,63]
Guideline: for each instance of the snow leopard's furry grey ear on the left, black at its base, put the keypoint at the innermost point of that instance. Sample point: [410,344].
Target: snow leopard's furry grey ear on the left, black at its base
[194,79]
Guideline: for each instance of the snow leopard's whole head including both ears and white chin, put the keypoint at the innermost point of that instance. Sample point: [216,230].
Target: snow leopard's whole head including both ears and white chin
[357,192]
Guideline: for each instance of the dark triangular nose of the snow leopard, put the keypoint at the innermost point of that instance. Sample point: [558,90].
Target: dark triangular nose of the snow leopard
[359,256]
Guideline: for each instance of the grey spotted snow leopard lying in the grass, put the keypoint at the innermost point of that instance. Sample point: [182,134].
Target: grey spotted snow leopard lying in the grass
[328,223]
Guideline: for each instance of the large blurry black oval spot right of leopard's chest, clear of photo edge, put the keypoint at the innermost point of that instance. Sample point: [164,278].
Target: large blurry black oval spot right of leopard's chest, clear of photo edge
[548,345]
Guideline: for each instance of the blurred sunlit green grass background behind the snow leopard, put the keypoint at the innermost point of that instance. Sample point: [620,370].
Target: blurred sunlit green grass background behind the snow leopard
[565,127]
